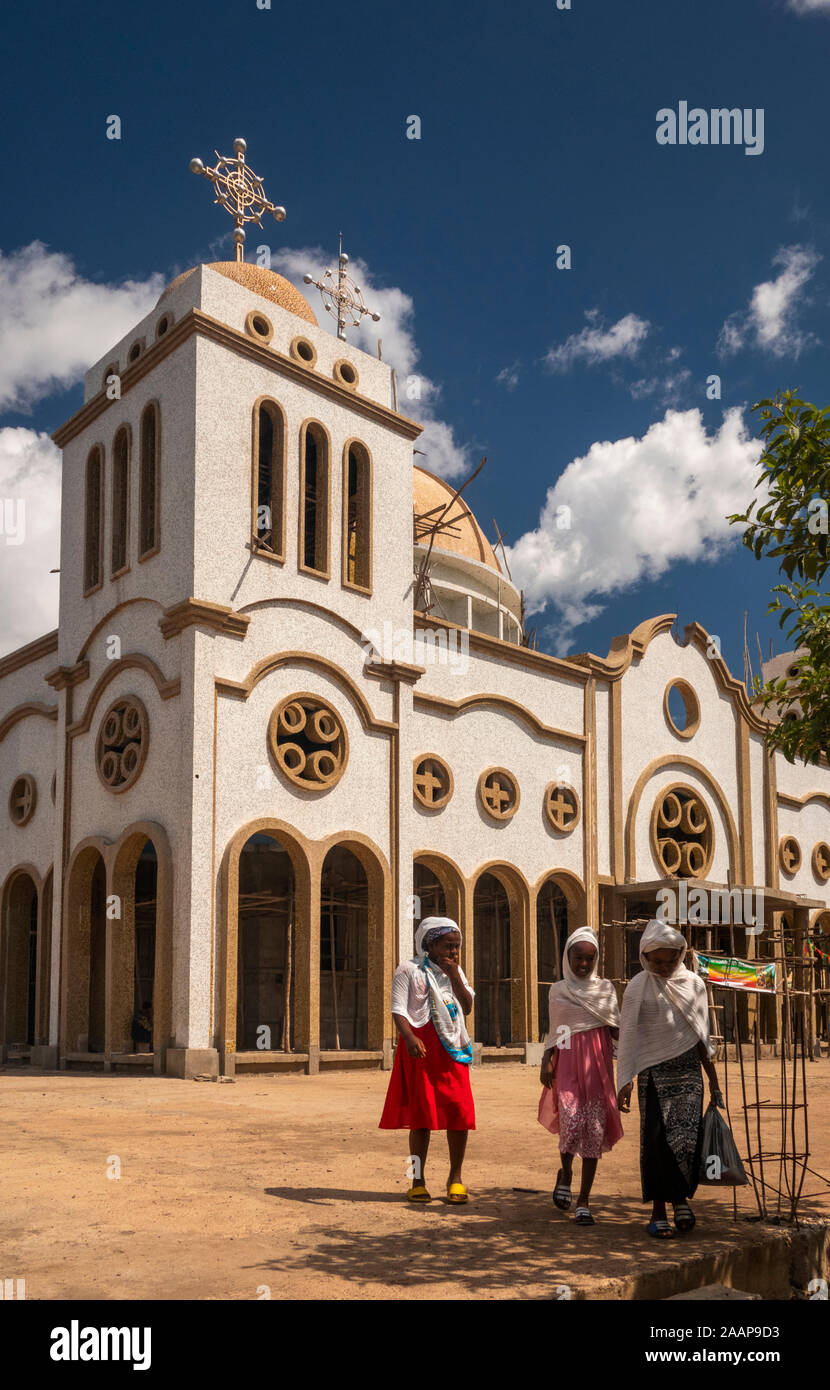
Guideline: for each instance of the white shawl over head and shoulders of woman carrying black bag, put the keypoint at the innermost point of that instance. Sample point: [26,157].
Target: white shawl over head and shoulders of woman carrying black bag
[682,1010]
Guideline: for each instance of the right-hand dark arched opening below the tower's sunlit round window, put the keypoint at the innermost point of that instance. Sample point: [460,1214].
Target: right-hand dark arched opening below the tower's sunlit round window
[344,953]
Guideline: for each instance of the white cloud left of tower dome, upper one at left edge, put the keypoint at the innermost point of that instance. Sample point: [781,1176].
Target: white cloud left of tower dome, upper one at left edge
[55,323]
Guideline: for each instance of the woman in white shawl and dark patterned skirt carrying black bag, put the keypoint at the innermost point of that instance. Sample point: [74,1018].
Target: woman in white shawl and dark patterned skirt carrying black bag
[664,1043]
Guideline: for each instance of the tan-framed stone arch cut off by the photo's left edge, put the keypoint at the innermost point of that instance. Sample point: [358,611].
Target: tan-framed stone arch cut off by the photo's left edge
[16,897]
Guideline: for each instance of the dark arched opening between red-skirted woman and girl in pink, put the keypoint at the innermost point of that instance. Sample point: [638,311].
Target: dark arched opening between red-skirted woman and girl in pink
[491,929]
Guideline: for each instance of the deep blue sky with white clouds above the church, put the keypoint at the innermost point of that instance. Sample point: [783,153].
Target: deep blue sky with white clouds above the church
[537,131]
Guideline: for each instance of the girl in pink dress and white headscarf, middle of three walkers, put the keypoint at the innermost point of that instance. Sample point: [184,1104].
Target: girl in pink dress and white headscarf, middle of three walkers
[579,1100]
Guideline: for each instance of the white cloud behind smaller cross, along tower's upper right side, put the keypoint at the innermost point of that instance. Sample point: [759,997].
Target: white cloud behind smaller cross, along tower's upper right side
[444,454]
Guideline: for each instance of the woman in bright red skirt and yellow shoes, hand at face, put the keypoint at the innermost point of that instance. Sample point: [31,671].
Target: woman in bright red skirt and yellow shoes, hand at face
[430,1084]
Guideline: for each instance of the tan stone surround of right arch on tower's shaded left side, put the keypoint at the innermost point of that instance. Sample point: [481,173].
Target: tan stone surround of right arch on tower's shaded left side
[122,862]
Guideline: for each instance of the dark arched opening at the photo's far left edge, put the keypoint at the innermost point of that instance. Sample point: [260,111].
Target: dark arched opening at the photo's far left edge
[20,964]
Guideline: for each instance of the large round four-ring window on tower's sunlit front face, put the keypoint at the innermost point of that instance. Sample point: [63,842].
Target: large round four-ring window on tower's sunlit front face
[309,742]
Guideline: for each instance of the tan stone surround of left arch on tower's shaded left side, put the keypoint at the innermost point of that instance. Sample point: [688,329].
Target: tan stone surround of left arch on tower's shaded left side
[77,945]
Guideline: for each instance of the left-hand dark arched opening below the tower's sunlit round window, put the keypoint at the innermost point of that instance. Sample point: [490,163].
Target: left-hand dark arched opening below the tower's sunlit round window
[268,947]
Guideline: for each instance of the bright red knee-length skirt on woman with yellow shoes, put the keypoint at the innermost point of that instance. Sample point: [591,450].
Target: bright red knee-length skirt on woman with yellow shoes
[429,1092]
